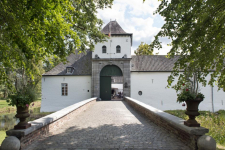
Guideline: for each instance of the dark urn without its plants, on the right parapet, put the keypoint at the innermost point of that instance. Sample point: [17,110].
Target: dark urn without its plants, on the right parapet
[192,112]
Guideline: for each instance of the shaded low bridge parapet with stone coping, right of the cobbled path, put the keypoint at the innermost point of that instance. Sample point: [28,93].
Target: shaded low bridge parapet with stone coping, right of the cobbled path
[173,124]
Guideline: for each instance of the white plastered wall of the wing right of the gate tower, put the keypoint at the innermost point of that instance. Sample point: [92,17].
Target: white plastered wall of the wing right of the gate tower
[154,92]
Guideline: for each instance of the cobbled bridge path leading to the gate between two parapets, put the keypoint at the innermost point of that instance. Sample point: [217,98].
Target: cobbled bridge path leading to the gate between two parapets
[109,125]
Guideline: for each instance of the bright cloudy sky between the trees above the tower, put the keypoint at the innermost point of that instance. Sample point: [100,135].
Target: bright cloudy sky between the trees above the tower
[136,17]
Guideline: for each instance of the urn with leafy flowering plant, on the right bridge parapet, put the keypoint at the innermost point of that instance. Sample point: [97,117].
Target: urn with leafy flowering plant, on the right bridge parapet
[188,91]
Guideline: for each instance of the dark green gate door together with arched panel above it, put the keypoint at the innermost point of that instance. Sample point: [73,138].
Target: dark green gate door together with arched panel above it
[106,74]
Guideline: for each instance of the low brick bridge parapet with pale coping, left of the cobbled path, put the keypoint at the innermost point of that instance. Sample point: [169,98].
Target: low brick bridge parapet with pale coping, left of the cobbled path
[47,124]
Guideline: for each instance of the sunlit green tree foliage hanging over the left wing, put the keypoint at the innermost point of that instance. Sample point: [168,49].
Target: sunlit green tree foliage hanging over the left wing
[31,31]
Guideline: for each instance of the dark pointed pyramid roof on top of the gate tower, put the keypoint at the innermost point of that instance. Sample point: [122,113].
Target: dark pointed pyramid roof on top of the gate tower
[115,28]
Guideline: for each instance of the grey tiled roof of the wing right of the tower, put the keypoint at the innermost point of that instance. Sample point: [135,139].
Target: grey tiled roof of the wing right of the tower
[152,63]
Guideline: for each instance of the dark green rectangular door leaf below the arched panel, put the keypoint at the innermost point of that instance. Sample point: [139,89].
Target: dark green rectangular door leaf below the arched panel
[105,87]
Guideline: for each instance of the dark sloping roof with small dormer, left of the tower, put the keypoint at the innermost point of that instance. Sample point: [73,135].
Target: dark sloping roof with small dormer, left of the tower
[82,64]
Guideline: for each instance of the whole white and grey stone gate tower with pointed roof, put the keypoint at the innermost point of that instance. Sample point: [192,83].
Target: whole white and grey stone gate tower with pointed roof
[111,59]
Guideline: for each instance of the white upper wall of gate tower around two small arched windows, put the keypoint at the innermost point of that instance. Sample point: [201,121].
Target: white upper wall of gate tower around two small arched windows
[123,41]
